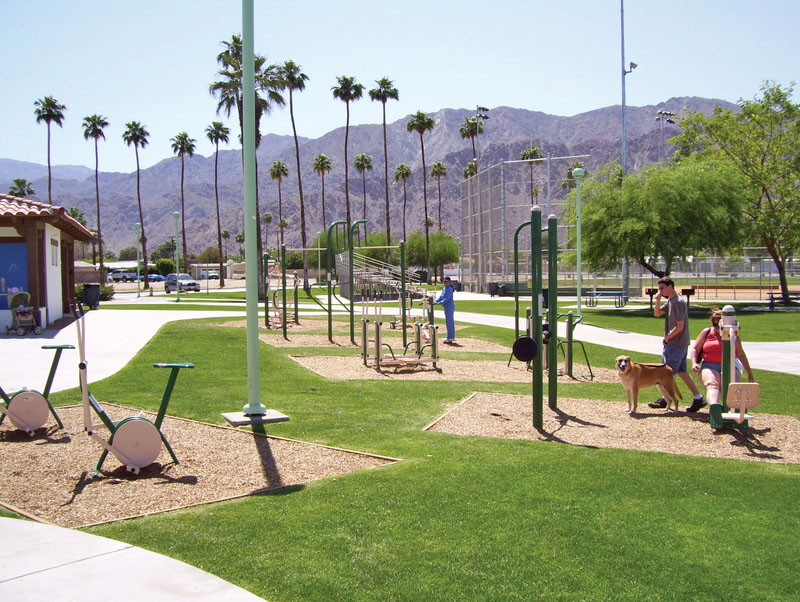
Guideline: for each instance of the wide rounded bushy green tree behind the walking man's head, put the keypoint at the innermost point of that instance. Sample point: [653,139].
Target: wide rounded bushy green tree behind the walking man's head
[664,211]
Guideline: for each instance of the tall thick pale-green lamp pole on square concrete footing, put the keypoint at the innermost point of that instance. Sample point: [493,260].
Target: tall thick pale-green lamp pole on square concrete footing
[254,405]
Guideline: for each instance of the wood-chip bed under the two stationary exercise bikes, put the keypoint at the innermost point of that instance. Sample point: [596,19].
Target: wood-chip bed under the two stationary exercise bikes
[49,476]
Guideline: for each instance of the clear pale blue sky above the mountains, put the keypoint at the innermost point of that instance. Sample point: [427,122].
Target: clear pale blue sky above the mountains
[152,60]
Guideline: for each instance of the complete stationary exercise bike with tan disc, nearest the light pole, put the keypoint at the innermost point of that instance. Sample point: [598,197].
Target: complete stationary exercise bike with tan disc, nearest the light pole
[135,441]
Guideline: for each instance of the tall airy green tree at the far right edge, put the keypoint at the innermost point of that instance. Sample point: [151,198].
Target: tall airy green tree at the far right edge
[761,142]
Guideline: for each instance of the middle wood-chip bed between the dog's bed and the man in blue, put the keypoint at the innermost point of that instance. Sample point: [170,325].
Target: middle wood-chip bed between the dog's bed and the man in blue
[352,368]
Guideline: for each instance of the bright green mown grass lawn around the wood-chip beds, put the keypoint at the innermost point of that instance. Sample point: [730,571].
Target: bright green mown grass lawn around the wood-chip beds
[463,518]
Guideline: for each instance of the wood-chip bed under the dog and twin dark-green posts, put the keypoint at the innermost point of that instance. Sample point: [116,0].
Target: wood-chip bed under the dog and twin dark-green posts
[771,438]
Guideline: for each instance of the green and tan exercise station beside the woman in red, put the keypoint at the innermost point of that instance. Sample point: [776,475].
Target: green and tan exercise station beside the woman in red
[735,395]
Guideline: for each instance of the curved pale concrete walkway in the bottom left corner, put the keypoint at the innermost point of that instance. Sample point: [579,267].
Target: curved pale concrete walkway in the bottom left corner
[44,562]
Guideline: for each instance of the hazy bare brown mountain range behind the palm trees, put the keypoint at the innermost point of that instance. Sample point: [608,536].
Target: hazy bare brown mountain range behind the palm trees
[505,135]
